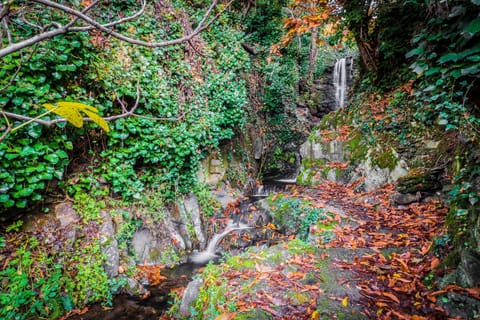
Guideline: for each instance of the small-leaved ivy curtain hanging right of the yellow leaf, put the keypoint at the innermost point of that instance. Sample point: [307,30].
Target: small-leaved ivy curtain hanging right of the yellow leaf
[201,101]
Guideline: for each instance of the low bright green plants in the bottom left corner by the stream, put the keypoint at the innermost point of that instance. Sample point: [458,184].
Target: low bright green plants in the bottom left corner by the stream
[36,284]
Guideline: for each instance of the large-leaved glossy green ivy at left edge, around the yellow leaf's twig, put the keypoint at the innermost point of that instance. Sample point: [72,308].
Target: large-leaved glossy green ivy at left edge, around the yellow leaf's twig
[34,156]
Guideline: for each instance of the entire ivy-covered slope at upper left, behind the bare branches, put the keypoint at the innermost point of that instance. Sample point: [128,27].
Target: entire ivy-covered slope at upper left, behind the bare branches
[188,99]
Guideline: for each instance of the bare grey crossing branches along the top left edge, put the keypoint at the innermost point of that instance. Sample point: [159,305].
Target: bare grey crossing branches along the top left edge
[92,24]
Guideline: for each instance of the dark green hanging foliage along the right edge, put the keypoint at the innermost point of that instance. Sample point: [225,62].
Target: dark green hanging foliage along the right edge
[447,67]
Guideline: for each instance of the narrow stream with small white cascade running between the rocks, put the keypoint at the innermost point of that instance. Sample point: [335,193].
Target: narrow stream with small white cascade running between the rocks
[157,302]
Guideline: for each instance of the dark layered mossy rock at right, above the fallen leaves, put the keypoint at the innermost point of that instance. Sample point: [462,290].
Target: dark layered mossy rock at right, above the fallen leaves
[427,181]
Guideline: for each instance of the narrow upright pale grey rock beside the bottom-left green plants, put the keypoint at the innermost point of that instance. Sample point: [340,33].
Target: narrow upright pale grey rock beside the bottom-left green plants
[109,245]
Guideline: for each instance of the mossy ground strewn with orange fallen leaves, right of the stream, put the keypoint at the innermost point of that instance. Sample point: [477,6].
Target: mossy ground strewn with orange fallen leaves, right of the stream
[375,261]
